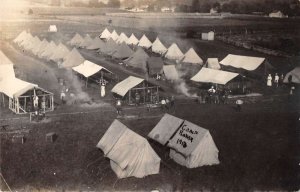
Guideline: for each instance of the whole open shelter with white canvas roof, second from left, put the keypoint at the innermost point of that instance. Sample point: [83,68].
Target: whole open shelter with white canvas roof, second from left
[91,71]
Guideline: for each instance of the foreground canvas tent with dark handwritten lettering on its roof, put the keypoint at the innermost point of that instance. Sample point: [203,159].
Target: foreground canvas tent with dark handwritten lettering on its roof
[193,146]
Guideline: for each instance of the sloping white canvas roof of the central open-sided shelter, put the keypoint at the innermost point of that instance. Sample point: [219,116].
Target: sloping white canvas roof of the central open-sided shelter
[124,86]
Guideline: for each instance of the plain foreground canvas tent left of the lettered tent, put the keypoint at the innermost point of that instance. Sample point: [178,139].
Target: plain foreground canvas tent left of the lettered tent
[130,154]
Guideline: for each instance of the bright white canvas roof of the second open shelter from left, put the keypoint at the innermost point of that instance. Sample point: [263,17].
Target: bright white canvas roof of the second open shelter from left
[88,68]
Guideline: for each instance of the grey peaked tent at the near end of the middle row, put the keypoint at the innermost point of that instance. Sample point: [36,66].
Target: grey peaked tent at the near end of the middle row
[138,59]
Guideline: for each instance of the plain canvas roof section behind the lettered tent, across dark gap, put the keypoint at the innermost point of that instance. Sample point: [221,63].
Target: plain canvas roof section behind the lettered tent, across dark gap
[165,128]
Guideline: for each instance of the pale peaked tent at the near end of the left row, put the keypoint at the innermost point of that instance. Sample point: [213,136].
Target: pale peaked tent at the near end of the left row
[73,59]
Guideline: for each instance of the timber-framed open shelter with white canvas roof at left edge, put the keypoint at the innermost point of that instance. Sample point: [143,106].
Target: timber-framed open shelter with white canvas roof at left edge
[20,95]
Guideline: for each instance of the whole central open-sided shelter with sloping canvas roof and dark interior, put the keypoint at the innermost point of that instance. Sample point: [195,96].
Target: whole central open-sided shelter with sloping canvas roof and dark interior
[131,86]
